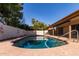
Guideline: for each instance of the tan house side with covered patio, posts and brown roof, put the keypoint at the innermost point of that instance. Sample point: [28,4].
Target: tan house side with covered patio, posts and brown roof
[66,27]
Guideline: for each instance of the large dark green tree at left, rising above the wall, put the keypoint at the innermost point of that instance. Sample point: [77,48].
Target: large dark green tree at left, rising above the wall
[11,13]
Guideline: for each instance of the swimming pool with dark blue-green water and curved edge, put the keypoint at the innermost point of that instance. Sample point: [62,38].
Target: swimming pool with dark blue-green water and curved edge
[38,42]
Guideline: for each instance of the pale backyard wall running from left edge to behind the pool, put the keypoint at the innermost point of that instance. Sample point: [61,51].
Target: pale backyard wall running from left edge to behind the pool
[11,32]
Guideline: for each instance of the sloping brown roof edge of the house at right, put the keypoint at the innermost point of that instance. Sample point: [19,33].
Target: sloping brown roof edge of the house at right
[65,19]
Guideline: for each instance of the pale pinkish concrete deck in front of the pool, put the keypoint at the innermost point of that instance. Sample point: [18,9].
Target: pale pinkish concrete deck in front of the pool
[70,49]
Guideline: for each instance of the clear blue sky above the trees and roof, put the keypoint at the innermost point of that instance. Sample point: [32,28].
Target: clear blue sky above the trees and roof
[47,12]
